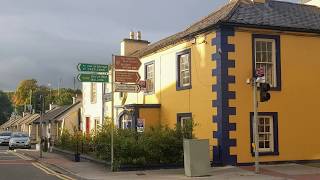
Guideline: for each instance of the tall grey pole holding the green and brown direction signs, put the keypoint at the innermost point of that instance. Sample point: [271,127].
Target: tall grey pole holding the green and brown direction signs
[112,109]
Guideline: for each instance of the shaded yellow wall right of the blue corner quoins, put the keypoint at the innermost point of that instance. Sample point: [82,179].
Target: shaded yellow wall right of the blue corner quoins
[297,104]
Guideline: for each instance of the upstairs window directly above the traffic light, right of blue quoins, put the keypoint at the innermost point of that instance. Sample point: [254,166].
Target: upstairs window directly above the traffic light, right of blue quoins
[266,51]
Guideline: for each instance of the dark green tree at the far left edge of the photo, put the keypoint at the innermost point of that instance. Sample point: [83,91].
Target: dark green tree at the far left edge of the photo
[5,107]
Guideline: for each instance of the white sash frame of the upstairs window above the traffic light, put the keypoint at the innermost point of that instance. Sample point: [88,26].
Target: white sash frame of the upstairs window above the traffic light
[273,60]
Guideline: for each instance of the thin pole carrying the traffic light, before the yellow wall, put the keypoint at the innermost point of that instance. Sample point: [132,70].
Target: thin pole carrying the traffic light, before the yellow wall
[255,126]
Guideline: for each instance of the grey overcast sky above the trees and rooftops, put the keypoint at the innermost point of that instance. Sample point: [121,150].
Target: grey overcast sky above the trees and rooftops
[46,39]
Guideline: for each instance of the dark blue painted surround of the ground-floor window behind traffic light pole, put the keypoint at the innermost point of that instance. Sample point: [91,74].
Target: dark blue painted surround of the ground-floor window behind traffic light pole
[275,150]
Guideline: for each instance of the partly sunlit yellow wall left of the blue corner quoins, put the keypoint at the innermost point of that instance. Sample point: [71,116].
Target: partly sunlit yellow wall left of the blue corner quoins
[197,100]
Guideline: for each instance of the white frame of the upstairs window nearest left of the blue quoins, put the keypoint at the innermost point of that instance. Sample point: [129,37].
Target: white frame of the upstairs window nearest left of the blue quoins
[184,73]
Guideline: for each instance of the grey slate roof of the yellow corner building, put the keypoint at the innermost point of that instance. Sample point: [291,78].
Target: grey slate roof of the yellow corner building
[244,13]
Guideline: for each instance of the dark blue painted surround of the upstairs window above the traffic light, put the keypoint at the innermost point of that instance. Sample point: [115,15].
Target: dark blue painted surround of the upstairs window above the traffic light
[277,62]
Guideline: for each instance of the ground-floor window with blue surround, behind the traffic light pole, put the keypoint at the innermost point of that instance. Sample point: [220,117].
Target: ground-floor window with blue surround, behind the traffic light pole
[267,124]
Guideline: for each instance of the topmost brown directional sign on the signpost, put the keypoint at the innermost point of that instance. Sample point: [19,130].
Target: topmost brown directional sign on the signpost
[127,63]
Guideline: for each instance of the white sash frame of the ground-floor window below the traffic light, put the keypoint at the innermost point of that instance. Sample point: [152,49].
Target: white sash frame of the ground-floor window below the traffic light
[271,134]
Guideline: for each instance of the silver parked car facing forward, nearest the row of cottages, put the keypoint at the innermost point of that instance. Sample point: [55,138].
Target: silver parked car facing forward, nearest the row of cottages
[19,140]
